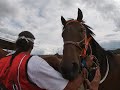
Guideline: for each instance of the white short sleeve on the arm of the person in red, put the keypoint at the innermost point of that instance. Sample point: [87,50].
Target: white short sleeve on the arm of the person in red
[45,76]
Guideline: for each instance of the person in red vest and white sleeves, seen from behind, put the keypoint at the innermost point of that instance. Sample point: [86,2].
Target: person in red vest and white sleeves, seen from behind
[21,71]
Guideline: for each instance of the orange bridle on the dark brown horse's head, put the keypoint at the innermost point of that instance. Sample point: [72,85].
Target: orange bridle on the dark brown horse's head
[86,42]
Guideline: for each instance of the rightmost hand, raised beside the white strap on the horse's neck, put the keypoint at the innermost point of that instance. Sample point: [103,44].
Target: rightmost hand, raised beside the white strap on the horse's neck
[94,84]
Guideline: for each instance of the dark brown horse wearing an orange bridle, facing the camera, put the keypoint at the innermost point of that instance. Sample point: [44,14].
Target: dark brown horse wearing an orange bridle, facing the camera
[79,43]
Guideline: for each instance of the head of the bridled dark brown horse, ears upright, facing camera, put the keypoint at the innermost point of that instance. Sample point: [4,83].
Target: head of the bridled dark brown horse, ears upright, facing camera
[74,34]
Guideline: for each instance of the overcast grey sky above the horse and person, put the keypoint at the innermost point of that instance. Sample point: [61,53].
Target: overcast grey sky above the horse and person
[42,18]
